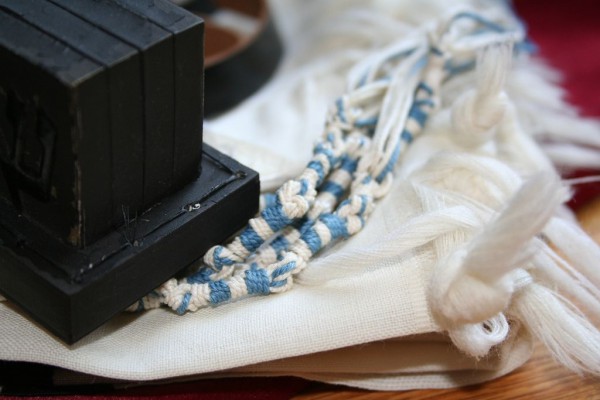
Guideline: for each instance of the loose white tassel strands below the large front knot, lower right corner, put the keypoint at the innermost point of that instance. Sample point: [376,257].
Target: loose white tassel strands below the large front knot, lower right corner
[571,338]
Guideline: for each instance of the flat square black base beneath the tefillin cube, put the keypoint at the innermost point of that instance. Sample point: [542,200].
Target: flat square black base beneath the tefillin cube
[71,292]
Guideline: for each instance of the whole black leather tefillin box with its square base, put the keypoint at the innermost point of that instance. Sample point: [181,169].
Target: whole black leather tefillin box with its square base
[105,188]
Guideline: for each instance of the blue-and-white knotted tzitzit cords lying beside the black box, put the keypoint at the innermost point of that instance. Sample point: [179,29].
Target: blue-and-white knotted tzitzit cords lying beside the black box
[386,106]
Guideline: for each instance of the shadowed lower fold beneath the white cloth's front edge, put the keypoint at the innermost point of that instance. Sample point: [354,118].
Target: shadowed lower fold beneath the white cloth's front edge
[420,361]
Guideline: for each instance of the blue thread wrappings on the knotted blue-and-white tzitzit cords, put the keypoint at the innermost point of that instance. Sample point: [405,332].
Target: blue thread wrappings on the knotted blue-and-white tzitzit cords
[256,278]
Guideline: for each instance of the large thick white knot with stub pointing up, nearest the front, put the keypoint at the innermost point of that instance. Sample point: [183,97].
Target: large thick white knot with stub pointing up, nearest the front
[474,283]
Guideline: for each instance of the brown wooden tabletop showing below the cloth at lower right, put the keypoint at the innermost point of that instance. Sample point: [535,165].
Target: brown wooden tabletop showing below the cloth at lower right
[540,378]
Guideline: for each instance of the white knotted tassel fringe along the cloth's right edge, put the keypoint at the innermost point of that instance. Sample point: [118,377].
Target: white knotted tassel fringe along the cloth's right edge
[484,174]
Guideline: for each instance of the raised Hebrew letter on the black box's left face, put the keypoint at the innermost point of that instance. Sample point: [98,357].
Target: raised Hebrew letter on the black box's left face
[27,140]
